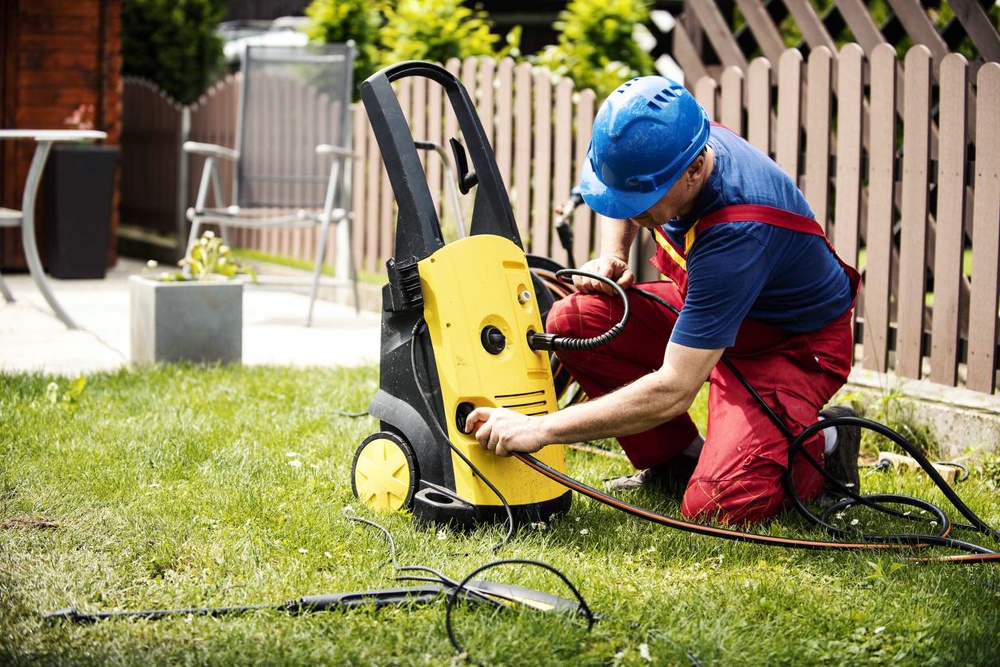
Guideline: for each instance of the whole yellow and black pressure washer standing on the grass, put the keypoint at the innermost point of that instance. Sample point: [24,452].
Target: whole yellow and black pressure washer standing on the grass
[456,319]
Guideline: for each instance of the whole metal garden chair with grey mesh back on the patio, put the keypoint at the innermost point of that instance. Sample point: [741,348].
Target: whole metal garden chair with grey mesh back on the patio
[292,155]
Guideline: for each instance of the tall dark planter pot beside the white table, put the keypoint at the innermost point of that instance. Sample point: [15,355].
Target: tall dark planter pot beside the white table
[79,191]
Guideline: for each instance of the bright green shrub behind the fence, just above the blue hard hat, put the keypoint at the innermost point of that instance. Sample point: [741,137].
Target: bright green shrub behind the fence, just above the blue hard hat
[596,47]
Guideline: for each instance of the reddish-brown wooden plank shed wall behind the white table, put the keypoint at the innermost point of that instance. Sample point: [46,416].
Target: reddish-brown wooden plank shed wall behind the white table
[56,55]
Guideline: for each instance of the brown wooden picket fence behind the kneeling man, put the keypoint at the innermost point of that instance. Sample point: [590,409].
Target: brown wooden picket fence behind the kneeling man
[903,174]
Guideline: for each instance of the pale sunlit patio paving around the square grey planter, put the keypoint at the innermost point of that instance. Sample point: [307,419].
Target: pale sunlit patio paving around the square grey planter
[274,333]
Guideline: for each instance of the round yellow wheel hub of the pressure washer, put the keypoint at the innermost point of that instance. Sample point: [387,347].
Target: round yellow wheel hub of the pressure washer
[382,476]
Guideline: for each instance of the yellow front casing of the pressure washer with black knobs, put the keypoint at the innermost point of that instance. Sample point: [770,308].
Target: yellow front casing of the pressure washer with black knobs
[468,285]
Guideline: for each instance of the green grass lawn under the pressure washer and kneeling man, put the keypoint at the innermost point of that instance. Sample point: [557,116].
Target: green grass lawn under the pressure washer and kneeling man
[191,486]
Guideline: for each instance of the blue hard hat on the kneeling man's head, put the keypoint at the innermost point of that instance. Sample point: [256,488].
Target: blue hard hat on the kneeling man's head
[645,135]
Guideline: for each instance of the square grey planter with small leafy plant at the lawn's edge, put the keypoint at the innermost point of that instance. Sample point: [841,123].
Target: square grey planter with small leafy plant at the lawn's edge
[194,314]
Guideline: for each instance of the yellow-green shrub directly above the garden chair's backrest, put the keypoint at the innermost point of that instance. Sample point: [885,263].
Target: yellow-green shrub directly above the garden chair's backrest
[337,21]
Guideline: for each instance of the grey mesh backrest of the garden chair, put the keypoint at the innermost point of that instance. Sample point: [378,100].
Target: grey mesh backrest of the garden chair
[292,99]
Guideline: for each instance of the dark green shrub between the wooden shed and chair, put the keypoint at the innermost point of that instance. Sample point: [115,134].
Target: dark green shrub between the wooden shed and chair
[173,44]
